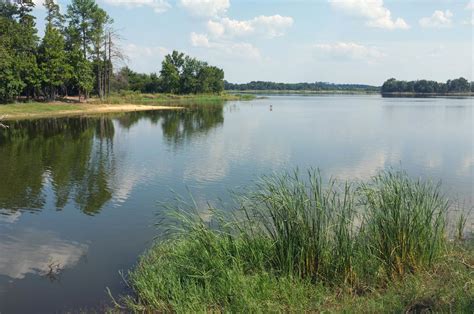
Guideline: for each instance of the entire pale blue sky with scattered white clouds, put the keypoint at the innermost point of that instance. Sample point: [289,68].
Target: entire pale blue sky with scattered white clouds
[340,41]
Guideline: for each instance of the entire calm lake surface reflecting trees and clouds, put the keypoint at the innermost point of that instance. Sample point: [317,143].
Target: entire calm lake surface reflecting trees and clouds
[79,196]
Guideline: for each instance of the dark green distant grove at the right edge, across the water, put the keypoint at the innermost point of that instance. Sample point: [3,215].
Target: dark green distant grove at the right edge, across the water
[456,86]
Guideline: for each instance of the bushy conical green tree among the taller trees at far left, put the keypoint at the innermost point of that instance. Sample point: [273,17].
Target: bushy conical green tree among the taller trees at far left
[54,67]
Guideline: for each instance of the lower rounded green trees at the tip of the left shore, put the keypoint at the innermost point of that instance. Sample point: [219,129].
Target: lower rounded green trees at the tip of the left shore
[180,74]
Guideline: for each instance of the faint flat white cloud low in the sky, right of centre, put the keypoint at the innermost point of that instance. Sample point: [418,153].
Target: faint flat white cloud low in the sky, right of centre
[350,50]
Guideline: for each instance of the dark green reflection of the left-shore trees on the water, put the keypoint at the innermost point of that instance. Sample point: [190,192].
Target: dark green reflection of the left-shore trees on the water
[76,156]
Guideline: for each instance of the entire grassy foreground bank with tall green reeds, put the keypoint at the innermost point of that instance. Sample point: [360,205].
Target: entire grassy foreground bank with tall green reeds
[301,244]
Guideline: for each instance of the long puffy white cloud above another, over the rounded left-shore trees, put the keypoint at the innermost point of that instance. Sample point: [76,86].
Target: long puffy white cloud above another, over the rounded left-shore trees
[268,26]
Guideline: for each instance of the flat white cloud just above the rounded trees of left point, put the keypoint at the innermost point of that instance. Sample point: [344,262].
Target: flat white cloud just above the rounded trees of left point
[229,48]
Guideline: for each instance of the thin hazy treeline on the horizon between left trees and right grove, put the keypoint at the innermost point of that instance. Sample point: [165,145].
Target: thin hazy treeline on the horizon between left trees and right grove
[316,86]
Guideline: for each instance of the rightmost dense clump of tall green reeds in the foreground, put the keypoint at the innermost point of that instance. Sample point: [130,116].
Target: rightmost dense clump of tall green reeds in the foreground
[404,224]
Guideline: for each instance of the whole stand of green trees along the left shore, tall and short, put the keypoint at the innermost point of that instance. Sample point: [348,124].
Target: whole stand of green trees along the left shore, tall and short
[75,57]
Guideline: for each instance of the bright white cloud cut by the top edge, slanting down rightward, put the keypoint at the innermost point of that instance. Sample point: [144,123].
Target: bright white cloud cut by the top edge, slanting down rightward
[373,10]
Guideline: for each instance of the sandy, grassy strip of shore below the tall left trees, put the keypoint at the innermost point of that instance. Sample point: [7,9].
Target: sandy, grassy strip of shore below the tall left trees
[49,110]
